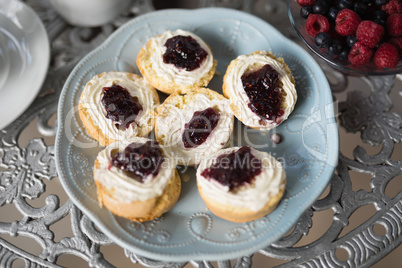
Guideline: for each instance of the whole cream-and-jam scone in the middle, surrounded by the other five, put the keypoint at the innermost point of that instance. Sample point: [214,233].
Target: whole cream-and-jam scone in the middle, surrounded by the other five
[191,126]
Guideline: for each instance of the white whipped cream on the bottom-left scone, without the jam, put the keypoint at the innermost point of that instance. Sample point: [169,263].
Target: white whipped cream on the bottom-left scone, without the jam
[125,188]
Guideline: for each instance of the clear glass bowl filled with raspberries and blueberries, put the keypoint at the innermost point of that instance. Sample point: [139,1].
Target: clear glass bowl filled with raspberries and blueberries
[357,37]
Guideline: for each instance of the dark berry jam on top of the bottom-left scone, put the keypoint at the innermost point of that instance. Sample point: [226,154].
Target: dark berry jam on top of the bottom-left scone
[139,160]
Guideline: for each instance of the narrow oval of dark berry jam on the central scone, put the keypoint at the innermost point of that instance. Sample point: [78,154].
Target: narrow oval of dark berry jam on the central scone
[197,130]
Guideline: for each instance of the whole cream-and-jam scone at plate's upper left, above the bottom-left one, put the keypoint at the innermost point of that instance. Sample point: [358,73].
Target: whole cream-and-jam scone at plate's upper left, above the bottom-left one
[116,106]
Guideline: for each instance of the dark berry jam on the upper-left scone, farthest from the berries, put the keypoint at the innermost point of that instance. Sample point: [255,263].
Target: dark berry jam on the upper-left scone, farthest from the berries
[120,106]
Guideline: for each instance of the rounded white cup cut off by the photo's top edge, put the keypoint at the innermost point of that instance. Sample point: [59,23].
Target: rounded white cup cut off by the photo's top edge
[89,13]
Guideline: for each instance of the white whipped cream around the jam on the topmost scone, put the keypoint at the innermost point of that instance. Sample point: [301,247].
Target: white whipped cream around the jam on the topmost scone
[168,71]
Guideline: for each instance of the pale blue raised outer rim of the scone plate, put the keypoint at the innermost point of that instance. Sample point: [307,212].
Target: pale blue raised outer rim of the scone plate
[196,255]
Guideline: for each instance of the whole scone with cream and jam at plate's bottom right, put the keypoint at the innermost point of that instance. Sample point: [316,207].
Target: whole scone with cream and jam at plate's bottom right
[241,184]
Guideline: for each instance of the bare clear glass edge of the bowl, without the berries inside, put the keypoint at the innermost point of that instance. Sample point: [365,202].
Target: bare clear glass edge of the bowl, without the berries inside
[339,64]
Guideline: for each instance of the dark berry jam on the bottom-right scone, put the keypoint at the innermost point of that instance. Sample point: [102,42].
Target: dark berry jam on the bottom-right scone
[234,169]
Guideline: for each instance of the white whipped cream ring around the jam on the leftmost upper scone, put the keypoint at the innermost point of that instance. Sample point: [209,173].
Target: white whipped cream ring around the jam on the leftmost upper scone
[138,88]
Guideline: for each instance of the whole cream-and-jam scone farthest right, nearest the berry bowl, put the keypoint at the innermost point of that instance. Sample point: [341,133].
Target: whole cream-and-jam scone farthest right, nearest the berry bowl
[261,89]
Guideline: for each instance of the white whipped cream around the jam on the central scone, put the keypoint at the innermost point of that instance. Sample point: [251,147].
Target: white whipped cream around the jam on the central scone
[170,127]
